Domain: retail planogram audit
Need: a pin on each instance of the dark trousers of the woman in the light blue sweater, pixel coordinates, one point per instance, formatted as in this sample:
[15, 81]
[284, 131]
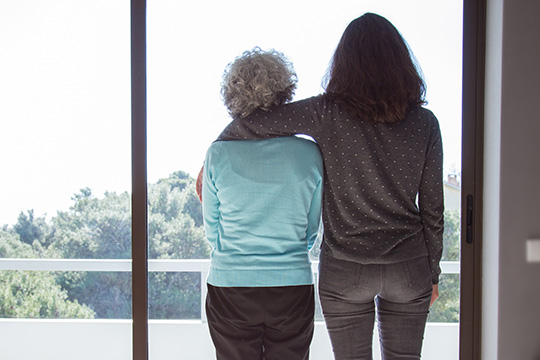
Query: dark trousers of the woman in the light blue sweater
[251, 323]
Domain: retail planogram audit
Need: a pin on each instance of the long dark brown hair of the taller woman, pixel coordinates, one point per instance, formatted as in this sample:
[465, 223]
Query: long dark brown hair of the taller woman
[373, 72]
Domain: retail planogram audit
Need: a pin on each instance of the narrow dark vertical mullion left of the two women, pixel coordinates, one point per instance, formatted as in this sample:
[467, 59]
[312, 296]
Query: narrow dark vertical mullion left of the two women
[139, 225]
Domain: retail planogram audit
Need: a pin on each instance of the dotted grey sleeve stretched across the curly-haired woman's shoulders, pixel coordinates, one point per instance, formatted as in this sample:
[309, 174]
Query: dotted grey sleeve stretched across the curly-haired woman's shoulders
[300, 117]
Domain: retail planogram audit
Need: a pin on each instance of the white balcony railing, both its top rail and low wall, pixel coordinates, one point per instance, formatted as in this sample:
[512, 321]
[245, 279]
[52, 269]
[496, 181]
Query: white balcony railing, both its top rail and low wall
[66, 339]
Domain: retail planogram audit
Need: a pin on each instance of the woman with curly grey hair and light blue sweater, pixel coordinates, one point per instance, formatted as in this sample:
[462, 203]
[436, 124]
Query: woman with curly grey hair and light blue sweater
[262, 209]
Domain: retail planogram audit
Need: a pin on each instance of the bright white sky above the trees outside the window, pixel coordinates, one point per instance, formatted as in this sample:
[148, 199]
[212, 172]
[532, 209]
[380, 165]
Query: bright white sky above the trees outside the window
[65, 82]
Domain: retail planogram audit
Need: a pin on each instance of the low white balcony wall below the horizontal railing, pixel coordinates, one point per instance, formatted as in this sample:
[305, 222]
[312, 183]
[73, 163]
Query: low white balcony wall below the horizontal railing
[27, 339]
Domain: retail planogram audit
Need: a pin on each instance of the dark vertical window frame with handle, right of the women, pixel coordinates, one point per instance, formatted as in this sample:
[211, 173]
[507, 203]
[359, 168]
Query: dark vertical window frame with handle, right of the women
[474, 32]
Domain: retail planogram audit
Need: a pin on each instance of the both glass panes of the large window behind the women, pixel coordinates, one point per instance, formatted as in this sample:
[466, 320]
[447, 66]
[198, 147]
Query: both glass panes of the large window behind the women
[65, 241]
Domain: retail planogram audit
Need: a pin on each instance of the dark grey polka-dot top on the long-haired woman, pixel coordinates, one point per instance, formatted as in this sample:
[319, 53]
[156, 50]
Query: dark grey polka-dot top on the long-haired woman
[383, 189]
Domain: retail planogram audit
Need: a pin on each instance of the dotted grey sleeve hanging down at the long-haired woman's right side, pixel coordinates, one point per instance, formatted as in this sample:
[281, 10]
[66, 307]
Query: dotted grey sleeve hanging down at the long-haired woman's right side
[431, 201]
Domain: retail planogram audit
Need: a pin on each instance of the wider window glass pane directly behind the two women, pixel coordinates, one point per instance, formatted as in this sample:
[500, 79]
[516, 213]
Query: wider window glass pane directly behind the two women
[189, 46]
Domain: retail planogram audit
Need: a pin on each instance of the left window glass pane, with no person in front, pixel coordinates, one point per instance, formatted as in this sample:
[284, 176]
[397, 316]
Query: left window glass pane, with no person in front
[65, 235]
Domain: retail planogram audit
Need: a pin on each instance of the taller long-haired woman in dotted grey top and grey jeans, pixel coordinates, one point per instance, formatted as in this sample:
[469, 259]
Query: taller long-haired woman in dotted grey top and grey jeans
[383, 194]
